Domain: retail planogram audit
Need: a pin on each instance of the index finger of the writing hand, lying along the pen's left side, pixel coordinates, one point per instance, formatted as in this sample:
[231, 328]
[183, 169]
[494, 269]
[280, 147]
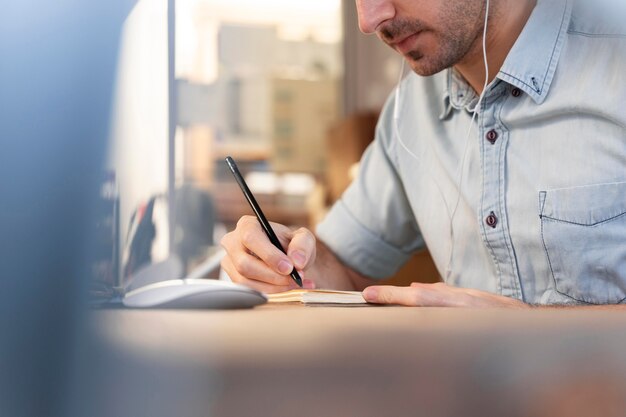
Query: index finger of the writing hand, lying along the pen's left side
[254, 239]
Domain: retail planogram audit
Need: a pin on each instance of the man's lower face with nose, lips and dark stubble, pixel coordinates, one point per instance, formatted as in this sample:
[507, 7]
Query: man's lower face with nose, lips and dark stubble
[432, 35]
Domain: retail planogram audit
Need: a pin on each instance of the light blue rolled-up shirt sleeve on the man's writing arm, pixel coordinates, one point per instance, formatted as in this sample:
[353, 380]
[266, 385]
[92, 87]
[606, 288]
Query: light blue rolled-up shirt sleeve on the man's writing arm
[372, 228]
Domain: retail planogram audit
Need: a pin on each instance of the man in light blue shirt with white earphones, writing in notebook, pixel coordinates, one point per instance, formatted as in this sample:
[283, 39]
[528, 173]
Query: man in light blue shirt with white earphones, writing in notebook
[520, 204]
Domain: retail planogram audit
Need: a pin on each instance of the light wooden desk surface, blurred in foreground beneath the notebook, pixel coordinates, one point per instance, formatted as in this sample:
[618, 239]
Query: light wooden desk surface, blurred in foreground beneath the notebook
[365, 361]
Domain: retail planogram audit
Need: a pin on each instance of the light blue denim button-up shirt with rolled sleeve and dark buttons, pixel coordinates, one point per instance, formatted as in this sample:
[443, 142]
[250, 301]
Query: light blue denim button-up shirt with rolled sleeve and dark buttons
[541, 213]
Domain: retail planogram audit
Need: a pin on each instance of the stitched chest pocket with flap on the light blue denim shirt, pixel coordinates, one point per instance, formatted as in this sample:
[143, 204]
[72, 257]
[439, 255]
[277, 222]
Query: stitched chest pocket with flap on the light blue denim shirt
[584, 236]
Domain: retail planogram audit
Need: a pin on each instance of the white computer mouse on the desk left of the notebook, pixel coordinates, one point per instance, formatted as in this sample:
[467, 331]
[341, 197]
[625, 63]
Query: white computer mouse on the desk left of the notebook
[193, 293]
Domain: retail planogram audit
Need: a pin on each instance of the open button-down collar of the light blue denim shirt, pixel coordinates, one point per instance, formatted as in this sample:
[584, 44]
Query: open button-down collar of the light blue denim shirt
[531, 63]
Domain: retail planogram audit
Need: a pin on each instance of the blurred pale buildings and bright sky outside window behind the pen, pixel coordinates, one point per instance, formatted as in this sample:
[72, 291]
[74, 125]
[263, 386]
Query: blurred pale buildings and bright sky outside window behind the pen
[259, 81]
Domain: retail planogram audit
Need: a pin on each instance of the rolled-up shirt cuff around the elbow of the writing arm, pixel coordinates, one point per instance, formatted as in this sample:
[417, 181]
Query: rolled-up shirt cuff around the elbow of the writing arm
[358, 247]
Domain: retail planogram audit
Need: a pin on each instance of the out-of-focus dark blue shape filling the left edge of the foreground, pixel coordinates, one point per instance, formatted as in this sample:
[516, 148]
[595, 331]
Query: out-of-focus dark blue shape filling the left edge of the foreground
[57, 61]
